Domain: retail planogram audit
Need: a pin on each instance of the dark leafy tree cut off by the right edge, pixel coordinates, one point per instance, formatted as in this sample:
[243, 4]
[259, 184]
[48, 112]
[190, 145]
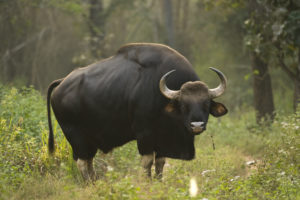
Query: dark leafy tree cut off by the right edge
[285, 26]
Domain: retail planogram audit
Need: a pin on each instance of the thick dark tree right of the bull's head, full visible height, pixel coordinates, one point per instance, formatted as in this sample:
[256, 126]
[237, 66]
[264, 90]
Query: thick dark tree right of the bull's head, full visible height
[258, 45]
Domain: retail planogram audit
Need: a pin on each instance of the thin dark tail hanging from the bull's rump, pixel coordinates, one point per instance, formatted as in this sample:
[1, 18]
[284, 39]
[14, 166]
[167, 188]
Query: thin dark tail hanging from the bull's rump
[51, 137]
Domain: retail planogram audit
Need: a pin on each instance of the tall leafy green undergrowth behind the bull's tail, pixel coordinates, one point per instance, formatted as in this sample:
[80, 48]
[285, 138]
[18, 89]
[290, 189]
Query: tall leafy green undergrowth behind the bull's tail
[23, 138]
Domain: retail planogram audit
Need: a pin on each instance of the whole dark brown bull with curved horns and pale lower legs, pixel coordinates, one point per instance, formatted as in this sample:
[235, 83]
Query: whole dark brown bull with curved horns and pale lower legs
[133, 96]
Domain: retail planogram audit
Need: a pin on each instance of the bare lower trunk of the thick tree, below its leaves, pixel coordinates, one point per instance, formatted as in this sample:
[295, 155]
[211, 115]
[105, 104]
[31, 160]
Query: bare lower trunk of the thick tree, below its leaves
[262, 89]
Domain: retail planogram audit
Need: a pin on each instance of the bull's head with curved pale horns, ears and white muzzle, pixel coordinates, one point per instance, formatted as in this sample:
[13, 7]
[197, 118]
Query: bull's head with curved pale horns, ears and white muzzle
[194, 102]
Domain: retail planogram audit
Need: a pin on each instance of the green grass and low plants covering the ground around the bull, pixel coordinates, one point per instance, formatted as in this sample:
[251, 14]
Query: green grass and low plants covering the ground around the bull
[28, 172]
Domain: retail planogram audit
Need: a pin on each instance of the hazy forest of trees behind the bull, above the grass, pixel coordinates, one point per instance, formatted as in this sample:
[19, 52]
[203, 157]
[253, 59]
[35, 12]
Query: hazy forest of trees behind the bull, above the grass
[45, 40]
